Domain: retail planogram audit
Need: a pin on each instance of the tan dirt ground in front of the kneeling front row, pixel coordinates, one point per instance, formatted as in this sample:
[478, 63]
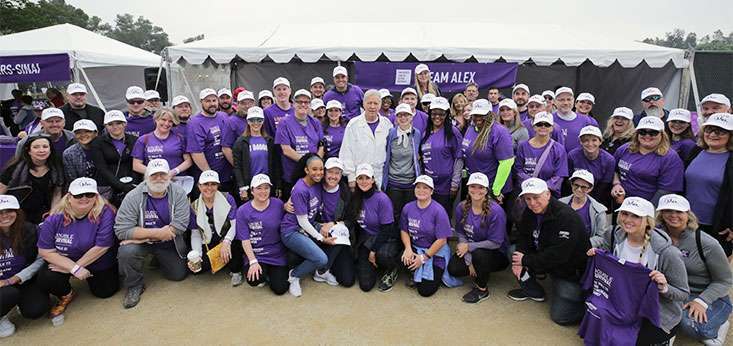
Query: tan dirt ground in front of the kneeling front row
[206, 310]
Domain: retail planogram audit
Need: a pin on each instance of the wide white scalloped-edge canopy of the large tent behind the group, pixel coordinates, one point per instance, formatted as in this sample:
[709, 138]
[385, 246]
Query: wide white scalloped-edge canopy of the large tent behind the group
[486, 42]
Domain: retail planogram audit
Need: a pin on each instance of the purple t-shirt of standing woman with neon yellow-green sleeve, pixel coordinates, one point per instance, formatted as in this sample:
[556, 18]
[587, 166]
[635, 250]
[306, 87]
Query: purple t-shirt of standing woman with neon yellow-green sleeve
[486, 160]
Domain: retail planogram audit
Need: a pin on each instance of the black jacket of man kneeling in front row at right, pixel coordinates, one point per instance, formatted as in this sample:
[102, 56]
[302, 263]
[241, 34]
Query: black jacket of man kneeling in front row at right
[563, 242]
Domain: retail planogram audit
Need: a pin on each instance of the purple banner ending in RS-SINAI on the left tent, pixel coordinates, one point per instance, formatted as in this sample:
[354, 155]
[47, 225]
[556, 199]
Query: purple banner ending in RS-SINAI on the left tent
[34, 68]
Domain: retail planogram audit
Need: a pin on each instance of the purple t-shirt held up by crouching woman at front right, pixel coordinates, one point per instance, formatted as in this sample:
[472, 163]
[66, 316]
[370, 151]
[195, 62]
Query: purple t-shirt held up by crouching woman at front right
[621, 296]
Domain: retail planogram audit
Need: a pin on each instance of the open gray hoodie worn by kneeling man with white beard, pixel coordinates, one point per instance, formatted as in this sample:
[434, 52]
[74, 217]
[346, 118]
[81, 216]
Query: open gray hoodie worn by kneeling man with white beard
[132, 214]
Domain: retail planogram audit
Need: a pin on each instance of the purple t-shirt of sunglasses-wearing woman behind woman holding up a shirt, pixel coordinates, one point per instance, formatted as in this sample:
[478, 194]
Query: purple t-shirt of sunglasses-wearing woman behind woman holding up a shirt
[642, 175]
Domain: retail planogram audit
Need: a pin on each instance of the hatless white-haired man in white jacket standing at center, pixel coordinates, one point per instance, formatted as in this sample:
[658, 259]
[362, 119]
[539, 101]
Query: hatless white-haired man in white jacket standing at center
[365, 139]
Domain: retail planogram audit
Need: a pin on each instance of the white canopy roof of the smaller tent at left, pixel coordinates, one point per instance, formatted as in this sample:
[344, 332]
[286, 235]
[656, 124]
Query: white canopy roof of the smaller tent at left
[87, 48]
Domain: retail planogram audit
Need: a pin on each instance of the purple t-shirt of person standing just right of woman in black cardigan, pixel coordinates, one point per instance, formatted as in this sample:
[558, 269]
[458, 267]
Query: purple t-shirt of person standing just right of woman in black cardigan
[303, 139]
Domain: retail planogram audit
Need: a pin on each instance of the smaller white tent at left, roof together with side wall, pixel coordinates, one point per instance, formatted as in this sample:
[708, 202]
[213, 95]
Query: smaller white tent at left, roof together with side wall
[105, 65]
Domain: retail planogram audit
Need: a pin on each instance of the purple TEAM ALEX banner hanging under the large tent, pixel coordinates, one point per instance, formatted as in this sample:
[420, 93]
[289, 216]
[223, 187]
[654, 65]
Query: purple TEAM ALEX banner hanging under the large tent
[450, 77]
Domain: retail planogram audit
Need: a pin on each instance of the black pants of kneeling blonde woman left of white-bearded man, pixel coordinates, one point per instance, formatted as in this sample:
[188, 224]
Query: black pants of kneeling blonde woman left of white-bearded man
[103, 283]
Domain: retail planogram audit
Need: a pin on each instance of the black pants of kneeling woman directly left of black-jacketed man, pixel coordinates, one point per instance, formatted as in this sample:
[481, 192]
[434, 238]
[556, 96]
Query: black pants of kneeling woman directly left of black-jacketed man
[484, 261]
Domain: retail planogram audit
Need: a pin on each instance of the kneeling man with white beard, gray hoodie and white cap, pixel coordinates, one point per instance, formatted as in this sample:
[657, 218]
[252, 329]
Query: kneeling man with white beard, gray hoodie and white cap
[152, 220]
